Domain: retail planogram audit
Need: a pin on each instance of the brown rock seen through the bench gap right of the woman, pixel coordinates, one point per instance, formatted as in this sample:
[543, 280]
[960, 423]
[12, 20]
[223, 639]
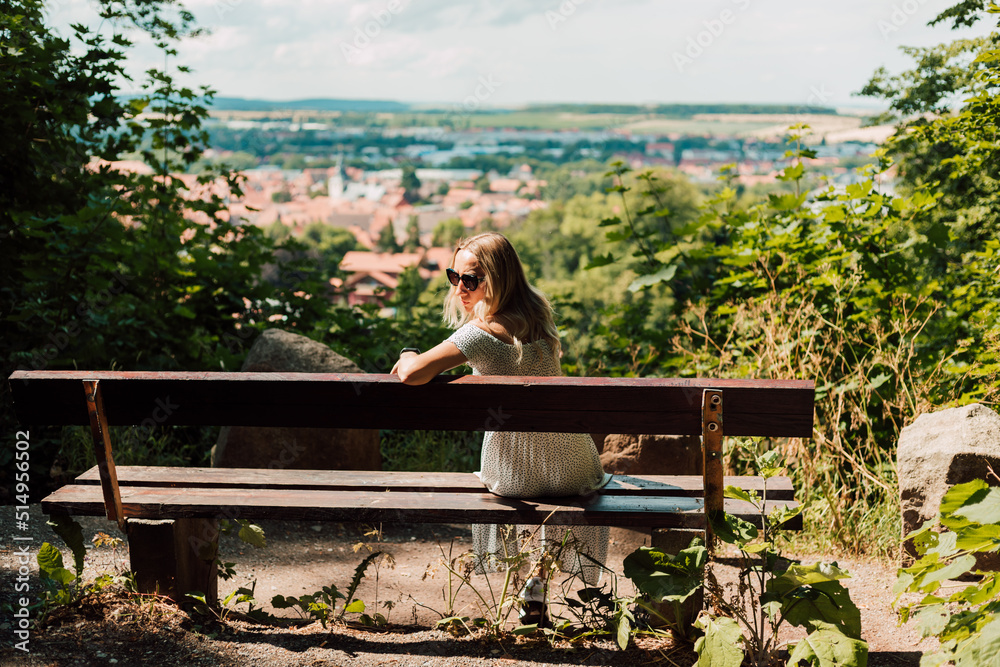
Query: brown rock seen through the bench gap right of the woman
[652, 455]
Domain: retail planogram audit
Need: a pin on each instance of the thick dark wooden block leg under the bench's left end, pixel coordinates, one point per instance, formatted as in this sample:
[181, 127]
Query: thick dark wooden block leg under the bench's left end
[175, 556]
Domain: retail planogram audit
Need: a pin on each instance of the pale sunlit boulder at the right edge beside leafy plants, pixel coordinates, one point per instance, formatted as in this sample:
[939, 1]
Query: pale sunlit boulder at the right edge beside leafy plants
[937, 451]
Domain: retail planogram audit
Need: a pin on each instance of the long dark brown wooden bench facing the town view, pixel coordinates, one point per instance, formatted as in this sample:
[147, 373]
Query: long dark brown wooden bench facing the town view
[171, 514]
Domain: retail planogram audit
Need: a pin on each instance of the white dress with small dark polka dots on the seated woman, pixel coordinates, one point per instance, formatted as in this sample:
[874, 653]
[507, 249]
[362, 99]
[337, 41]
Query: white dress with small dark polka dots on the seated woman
[533, 465]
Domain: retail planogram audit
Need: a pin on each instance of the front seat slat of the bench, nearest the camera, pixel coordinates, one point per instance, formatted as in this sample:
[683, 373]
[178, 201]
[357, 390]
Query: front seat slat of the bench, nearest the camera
[398, 507]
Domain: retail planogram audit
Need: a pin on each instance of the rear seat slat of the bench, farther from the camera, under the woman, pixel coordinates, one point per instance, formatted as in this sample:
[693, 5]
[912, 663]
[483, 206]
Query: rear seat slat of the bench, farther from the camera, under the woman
[778, 488]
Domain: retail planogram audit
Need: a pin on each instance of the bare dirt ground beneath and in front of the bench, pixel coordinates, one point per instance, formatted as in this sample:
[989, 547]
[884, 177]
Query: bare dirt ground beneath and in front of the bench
[303, 557]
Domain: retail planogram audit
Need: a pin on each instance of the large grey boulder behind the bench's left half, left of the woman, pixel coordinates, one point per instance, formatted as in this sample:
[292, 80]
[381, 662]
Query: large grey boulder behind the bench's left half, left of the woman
[300, 448]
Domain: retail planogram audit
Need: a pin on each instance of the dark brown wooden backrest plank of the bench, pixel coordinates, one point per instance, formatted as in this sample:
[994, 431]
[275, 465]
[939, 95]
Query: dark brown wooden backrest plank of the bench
[774, 408]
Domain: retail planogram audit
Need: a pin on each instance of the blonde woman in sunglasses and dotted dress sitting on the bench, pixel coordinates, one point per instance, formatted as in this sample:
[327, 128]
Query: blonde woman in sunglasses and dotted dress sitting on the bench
[505, 327]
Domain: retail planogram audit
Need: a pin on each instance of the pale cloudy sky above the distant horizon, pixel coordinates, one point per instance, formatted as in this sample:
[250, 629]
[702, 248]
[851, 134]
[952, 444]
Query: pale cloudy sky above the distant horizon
[507, 53]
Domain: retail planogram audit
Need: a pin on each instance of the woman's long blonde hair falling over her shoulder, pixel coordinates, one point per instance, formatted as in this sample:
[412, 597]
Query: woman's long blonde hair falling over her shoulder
[526, 313]
